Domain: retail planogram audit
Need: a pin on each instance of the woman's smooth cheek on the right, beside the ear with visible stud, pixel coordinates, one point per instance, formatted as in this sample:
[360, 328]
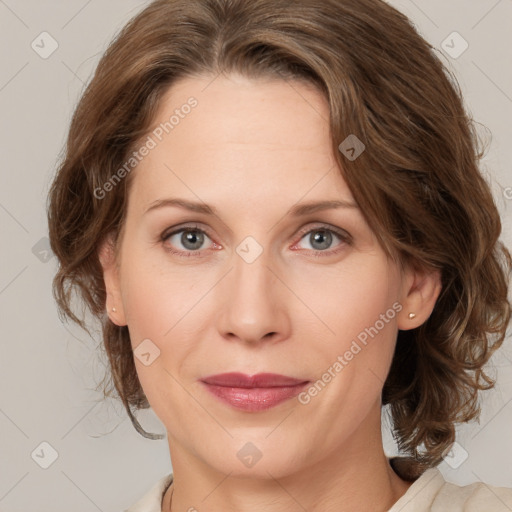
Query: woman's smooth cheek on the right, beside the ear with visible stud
[358, 303]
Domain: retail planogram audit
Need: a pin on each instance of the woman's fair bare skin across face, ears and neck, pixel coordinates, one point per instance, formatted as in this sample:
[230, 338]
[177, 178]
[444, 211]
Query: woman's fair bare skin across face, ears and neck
[253, 149]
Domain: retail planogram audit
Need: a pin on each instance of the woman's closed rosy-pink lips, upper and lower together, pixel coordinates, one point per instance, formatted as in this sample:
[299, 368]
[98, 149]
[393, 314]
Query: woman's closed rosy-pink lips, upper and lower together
[253, 393]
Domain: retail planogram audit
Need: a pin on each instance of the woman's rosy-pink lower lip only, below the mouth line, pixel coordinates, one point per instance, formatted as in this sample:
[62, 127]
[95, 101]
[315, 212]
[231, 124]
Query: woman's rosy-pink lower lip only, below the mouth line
[255, 399]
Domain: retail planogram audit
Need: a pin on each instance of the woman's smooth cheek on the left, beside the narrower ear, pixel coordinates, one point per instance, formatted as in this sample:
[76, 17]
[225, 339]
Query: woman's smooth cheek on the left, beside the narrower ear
[158, 308]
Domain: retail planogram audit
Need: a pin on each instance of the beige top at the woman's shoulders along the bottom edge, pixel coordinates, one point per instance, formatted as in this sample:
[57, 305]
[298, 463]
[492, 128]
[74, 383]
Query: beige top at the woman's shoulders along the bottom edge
[429, 493]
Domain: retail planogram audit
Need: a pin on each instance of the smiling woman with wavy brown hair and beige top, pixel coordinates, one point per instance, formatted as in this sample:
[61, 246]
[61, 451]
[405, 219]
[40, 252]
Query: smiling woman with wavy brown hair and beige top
[276, 212]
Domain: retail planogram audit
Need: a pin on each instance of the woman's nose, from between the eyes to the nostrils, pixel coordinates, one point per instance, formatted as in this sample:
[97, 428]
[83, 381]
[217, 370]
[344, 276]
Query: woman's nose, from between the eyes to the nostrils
[253, 303]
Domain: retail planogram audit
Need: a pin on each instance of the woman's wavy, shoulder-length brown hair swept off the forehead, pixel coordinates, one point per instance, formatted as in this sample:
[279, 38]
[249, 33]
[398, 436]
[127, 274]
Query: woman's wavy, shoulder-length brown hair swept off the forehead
[418, 181]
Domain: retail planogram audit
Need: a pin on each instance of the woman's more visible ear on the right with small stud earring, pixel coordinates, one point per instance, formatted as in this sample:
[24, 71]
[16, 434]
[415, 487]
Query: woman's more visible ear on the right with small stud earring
[420, 291]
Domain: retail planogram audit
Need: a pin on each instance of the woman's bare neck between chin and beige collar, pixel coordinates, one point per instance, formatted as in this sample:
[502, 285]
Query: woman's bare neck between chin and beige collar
[355, 477]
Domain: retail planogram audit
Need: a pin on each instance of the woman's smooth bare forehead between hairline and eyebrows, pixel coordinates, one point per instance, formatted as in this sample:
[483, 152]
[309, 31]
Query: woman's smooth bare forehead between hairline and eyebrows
[239, 135]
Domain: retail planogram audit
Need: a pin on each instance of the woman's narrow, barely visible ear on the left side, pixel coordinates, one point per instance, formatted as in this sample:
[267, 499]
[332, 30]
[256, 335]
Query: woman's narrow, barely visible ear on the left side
[106, 255]
